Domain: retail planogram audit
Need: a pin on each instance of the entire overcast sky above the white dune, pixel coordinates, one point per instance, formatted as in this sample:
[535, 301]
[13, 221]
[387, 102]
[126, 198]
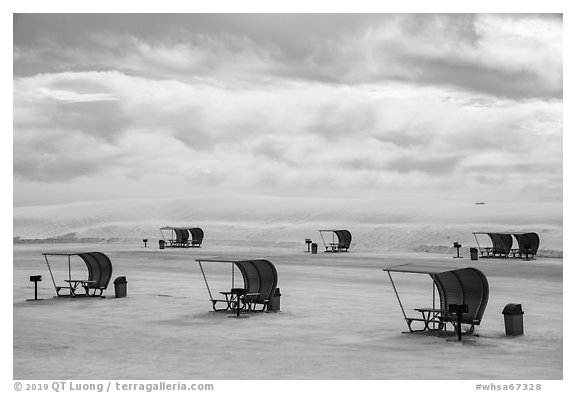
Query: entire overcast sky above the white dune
[465, 107]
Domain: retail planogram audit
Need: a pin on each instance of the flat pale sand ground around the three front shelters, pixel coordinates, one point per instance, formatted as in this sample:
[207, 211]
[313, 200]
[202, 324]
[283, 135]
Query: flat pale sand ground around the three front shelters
[339, 319]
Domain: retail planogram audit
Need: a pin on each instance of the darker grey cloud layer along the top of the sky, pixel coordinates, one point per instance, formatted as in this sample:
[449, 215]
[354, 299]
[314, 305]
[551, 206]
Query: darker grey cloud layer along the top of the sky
[503, 55]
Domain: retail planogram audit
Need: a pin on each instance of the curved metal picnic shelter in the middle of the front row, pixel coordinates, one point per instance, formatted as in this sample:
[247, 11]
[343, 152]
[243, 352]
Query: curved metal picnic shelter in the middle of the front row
[259, 282]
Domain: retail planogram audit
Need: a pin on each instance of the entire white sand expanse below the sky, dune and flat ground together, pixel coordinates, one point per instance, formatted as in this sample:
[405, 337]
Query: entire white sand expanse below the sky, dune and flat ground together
[339, 319]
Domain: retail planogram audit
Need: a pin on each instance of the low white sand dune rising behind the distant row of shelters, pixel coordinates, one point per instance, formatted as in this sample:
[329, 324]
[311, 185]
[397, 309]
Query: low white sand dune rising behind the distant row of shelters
[385, 224]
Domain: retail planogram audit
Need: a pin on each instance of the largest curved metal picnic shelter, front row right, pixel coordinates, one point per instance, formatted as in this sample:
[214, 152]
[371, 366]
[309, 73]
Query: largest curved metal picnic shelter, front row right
[454, 285]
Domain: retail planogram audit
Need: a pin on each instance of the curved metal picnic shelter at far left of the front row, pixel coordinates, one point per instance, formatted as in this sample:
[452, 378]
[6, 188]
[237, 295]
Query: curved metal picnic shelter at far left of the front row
[99, 269]
